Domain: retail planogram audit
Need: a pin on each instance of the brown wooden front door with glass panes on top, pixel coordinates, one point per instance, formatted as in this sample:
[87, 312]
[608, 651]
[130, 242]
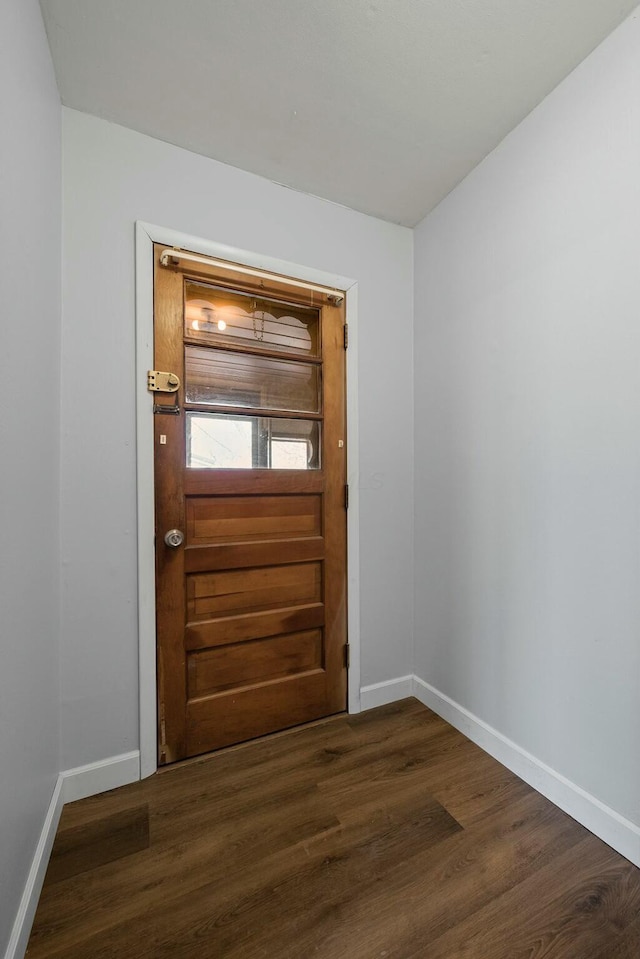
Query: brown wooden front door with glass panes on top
[250, 470]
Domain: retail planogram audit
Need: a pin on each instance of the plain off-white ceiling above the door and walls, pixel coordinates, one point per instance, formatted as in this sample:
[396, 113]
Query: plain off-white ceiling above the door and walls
[382, 105]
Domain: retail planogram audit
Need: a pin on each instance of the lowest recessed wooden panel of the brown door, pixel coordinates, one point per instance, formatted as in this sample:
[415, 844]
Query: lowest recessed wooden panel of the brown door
[254, 660]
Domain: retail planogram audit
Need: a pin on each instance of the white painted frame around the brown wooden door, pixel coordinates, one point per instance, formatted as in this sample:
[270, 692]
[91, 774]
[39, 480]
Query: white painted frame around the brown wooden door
[146, 234]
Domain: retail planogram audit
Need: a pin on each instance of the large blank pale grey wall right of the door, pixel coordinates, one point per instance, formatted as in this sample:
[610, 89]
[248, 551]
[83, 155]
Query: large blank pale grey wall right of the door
[527, 371]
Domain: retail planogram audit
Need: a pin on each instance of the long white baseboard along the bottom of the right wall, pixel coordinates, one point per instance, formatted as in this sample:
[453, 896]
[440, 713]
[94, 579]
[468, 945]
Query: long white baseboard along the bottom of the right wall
[619, 833]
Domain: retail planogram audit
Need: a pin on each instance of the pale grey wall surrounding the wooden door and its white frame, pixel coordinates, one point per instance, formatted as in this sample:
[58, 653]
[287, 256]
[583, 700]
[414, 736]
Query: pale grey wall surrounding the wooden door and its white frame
[113, 177]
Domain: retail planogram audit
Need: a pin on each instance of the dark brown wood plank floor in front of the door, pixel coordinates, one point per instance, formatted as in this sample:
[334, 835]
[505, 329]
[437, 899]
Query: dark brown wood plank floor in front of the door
[386, 835]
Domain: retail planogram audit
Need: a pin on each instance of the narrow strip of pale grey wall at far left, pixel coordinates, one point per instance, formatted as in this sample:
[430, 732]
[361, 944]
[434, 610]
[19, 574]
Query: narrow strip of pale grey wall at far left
[29, 439]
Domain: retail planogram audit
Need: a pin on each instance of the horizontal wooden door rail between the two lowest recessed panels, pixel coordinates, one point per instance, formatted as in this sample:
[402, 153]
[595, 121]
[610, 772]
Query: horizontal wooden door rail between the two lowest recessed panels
[233, 629]
